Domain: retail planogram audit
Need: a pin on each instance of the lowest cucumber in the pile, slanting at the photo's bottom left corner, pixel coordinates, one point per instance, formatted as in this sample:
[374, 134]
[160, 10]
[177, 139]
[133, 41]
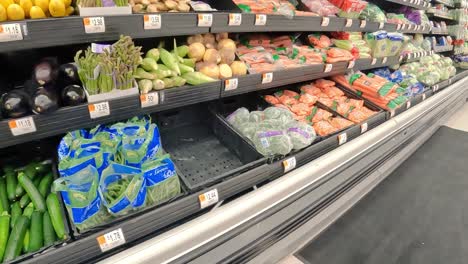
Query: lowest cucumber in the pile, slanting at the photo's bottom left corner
[15, 241]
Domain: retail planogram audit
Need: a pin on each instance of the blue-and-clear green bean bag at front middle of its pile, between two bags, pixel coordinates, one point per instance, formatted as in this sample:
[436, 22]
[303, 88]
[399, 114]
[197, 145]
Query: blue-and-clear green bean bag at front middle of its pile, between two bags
[122, 189]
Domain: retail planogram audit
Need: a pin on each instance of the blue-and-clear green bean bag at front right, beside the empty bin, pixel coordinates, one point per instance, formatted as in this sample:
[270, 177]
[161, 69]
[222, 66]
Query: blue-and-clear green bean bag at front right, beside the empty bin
[162, 181]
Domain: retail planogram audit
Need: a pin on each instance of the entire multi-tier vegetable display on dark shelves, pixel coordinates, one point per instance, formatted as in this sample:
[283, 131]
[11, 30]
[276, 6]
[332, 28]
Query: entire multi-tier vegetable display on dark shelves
[144, 121]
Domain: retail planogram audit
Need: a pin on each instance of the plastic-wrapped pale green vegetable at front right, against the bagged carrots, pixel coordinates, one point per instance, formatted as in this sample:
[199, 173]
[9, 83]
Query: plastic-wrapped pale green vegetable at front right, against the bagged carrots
[301, 134]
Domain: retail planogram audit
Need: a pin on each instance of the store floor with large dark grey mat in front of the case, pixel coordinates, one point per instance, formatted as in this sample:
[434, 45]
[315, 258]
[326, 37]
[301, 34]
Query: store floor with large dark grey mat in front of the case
[418, 215]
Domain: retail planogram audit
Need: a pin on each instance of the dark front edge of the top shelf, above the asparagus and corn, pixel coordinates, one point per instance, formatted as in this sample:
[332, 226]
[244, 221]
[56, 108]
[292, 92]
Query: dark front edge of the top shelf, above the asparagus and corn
[71, 30]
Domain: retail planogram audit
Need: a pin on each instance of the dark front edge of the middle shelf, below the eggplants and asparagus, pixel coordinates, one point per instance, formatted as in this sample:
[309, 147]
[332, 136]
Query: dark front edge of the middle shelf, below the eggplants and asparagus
[71, 118]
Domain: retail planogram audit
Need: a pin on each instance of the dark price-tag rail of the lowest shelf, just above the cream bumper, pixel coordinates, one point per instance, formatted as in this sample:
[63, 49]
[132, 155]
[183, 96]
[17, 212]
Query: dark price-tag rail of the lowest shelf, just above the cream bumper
[156, 219]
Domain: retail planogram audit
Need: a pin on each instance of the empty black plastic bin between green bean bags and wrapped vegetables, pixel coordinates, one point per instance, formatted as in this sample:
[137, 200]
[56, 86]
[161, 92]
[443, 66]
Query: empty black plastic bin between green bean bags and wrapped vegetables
[204, 149]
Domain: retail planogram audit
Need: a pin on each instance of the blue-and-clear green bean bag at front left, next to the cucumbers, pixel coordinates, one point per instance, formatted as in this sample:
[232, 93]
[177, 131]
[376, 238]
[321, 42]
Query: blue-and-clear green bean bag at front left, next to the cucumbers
[80, 195]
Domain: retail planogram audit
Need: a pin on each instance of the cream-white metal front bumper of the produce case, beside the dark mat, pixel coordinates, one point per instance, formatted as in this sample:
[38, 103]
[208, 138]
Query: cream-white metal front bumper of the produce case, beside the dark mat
[299, 200]
